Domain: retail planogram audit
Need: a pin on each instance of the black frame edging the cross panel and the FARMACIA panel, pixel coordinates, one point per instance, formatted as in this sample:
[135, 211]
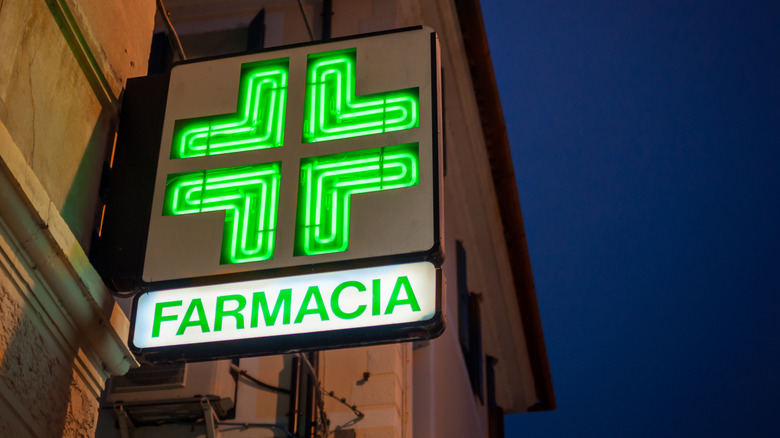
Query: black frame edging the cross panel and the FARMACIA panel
[351, 337]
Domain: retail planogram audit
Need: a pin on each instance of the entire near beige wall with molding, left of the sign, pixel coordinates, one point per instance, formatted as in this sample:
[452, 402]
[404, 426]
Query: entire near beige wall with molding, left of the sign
[61, 334]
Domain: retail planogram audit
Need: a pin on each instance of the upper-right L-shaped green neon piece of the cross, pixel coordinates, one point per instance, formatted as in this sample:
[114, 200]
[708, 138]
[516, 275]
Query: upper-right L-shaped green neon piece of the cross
[332, 111]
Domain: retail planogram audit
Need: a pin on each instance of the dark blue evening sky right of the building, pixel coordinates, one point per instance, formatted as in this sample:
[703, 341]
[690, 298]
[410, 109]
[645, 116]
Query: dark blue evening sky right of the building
[646, 143]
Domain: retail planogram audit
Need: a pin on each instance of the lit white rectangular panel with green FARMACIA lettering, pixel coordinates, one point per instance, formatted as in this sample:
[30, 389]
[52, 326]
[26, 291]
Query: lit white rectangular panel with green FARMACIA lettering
[259, 309]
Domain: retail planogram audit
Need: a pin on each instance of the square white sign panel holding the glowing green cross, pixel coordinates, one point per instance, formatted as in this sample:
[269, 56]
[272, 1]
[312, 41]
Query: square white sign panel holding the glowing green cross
[303, 156]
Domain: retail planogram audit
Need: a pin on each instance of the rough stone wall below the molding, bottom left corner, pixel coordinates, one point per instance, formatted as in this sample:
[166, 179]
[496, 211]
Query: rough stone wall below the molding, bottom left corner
[47, 388]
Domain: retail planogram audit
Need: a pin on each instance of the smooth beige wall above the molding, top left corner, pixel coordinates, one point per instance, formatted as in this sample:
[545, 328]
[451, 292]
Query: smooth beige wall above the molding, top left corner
[59, 90]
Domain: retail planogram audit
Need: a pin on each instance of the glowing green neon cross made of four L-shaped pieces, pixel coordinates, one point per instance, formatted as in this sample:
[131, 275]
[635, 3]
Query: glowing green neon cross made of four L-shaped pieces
[249, 194]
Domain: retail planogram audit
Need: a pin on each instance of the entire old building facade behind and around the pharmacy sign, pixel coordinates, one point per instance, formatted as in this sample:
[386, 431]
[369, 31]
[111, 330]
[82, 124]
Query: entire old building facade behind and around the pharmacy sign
[63, 333]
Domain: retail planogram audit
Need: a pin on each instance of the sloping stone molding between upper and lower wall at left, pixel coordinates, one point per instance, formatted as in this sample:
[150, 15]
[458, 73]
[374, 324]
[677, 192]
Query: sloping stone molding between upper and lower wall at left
[46, 266]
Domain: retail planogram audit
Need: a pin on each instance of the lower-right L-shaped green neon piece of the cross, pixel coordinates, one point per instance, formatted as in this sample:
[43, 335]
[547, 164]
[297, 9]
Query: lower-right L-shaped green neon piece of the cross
[327, 183]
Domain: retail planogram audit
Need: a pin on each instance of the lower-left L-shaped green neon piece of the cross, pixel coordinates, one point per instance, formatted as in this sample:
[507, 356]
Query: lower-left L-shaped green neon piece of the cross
[249, 195]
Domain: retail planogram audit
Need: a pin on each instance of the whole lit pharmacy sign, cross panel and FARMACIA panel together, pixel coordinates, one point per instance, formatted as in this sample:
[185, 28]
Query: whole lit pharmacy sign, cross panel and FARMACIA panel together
[310, 159]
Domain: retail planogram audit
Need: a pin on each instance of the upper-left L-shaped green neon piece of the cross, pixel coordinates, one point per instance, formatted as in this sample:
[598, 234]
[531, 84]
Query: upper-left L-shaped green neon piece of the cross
[258, 122]
